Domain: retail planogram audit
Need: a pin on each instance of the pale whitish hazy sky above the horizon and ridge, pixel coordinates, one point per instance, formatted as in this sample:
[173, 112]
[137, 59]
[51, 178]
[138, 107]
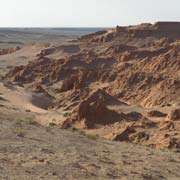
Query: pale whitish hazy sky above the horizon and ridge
[86, 13]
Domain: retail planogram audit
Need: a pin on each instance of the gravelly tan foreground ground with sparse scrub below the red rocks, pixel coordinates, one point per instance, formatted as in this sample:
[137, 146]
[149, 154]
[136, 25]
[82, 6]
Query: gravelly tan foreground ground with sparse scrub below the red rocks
[29, 151]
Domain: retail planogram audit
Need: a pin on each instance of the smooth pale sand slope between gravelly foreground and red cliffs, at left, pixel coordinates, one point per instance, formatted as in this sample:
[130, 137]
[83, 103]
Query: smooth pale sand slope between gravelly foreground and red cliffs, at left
[15, 97]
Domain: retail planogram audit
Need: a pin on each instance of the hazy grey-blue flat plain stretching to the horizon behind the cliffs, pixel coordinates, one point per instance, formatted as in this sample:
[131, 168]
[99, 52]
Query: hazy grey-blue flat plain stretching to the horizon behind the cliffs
[10, 37]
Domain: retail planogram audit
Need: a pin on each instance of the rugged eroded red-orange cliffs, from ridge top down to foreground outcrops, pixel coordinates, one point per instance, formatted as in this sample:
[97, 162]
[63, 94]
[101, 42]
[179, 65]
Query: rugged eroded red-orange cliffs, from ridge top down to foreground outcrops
[135, 64]
